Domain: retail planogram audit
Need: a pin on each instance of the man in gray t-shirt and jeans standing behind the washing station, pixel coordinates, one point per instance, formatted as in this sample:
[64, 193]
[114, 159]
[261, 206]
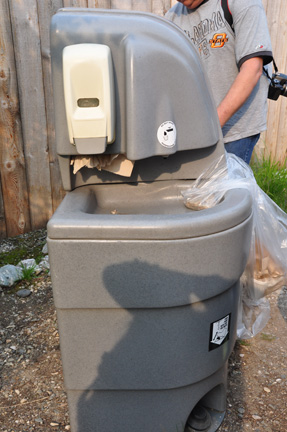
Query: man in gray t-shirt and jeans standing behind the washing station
[233, 41]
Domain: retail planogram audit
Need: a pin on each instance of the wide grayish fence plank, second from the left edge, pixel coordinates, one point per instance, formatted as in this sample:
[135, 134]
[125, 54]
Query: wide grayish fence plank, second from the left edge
[26, 39]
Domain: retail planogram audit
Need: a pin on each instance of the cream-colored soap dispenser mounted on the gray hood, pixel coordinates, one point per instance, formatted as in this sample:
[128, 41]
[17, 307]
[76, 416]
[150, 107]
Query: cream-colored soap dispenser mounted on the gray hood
[89, 96]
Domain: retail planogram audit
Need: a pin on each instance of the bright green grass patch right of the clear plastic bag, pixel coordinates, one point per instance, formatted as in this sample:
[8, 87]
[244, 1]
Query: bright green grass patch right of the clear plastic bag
[271, 177]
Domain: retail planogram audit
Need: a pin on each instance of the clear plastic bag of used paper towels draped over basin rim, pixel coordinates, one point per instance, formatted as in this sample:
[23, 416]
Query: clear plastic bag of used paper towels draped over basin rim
[266, 269]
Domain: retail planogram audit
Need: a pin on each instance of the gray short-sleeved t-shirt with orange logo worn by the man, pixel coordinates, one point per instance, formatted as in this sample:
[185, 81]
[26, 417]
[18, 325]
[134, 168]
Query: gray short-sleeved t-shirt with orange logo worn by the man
[223, 51]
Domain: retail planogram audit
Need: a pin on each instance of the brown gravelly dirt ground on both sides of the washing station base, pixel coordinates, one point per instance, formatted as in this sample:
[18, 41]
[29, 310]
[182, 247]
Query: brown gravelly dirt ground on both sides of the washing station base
[32, 396]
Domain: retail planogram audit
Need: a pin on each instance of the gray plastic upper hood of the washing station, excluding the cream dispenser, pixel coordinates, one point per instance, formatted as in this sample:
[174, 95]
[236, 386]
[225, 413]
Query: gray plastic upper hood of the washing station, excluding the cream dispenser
[158, 79]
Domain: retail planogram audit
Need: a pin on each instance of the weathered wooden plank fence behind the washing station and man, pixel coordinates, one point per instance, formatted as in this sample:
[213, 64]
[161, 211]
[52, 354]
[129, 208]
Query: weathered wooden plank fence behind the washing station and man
[30, 184]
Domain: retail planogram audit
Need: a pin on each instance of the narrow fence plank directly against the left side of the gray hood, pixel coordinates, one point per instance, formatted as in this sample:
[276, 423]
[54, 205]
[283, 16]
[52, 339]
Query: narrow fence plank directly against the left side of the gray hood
[46, 10]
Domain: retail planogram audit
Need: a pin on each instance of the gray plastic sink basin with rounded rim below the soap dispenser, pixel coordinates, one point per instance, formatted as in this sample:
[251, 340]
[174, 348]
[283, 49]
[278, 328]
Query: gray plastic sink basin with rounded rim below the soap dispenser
[143, 211]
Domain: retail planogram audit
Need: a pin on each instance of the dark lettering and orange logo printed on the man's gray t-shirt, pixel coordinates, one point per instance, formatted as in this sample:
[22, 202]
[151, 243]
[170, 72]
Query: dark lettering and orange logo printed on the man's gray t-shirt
[207, 27]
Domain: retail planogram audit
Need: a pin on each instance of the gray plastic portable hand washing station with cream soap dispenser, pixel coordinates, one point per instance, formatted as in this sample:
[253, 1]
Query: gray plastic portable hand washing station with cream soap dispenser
[146, 290]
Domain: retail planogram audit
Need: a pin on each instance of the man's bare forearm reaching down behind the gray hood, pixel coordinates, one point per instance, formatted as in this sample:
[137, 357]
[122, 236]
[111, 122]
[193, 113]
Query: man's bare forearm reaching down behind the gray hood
[249, 75]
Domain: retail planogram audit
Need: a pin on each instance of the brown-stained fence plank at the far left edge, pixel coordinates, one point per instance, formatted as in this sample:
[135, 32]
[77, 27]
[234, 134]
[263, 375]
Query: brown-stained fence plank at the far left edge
[14, 206]
